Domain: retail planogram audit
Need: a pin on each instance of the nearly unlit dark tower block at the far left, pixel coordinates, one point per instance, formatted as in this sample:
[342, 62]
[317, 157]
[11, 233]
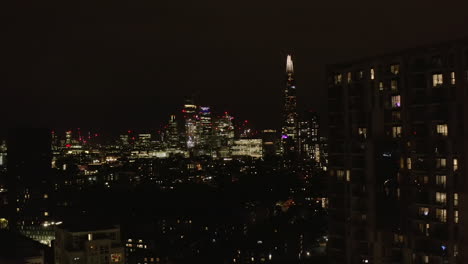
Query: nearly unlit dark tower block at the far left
[30, 183]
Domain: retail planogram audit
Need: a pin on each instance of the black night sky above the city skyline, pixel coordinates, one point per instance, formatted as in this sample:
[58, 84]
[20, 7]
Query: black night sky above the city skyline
[116, 64]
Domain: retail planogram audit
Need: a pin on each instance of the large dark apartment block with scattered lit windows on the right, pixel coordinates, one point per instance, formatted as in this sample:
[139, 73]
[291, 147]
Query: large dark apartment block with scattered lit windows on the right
[397, 155]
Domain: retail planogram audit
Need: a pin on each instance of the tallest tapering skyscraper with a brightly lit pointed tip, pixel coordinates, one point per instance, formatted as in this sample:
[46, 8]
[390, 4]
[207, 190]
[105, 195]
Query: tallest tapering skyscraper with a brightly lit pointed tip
[289, 130]
